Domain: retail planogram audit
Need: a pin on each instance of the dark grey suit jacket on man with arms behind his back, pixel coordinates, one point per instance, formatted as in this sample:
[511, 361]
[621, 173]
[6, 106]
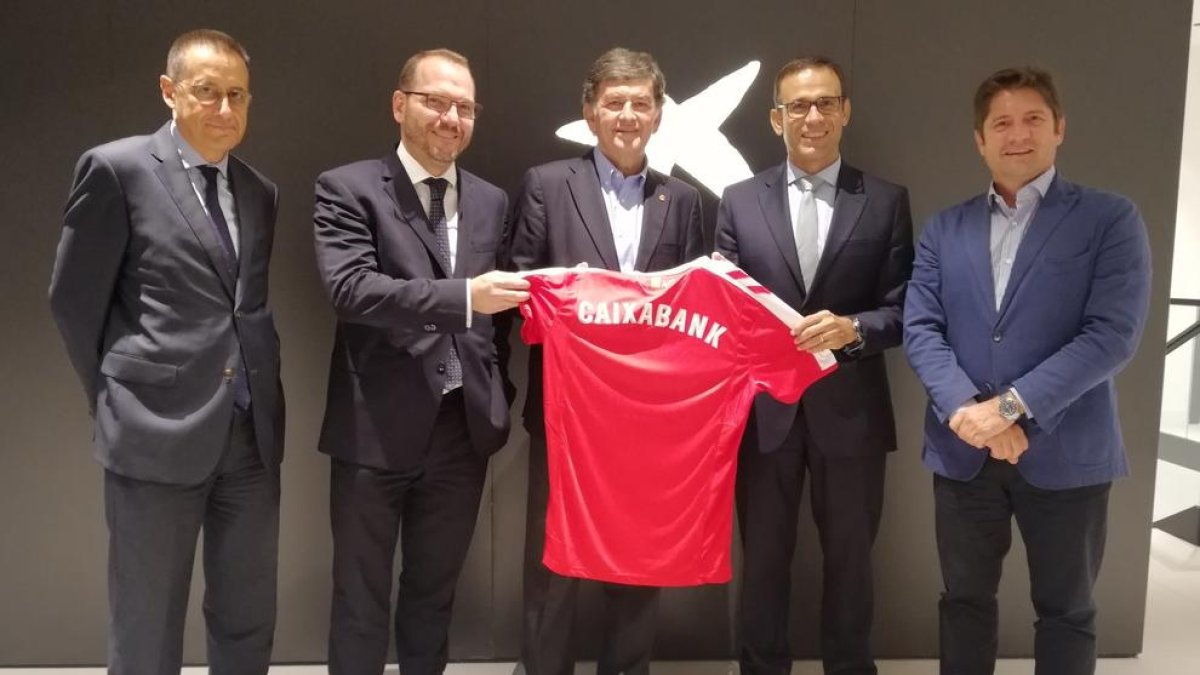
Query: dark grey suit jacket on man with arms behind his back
[153, 318]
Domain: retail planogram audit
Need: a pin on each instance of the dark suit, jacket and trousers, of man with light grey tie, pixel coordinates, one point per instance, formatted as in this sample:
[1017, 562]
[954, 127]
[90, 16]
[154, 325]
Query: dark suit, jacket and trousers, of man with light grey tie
[842, 431]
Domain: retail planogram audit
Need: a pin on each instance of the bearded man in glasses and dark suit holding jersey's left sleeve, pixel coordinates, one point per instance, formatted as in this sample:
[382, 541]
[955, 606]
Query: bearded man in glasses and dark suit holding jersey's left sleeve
[407, 248]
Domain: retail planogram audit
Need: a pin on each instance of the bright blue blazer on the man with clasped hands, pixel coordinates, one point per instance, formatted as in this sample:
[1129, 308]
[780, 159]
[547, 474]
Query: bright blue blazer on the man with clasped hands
[1070, 321]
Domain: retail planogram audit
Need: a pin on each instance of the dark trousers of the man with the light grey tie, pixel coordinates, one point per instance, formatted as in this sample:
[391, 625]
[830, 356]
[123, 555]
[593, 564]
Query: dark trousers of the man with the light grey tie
[848, 503]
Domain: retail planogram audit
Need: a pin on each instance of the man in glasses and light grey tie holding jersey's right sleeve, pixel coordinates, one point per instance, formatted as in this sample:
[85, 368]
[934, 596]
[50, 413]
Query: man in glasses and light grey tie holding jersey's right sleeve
[837, 246]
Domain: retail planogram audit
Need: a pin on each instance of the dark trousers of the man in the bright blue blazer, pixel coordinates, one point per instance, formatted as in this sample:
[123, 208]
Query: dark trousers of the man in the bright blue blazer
[1064, 534]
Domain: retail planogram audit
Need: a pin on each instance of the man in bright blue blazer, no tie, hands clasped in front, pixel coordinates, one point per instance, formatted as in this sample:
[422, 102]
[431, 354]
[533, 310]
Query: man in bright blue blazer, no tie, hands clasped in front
[1024, 306]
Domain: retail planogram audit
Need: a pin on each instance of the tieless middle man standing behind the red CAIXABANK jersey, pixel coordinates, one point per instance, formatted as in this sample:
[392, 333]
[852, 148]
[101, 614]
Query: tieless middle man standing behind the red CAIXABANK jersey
[608, 210]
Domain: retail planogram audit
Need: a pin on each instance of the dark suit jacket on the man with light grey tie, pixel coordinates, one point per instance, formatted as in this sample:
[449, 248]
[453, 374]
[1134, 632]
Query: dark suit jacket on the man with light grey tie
[863, 272]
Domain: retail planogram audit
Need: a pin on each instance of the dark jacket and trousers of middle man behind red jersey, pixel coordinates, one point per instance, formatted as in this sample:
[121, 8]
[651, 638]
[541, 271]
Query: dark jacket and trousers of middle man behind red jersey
[561, 220]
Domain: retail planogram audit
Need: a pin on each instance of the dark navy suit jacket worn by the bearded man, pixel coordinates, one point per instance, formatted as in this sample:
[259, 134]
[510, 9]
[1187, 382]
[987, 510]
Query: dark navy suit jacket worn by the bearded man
[399, 310]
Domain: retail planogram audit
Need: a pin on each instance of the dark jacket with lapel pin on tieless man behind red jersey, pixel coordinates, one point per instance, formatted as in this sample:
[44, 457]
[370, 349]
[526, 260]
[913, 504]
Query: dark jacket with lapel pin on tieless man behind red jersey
[561, 220]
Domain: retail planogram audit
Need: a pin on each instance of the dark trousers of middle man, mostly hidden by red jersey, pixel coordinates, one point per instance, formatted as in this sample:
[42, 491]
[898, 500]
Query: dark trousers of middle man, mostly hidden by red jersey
[550, 599]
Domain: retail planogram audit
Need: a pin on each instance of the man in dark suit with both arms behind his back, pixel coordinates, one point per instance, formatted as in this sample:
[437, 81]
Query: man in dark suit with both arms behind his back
[160, 292]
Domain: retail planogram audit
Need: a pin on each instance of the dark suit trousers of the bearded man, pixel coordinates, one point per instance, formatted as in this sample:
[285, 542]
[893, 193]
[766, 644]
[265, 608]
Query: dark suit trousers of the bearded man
[431, 510]
